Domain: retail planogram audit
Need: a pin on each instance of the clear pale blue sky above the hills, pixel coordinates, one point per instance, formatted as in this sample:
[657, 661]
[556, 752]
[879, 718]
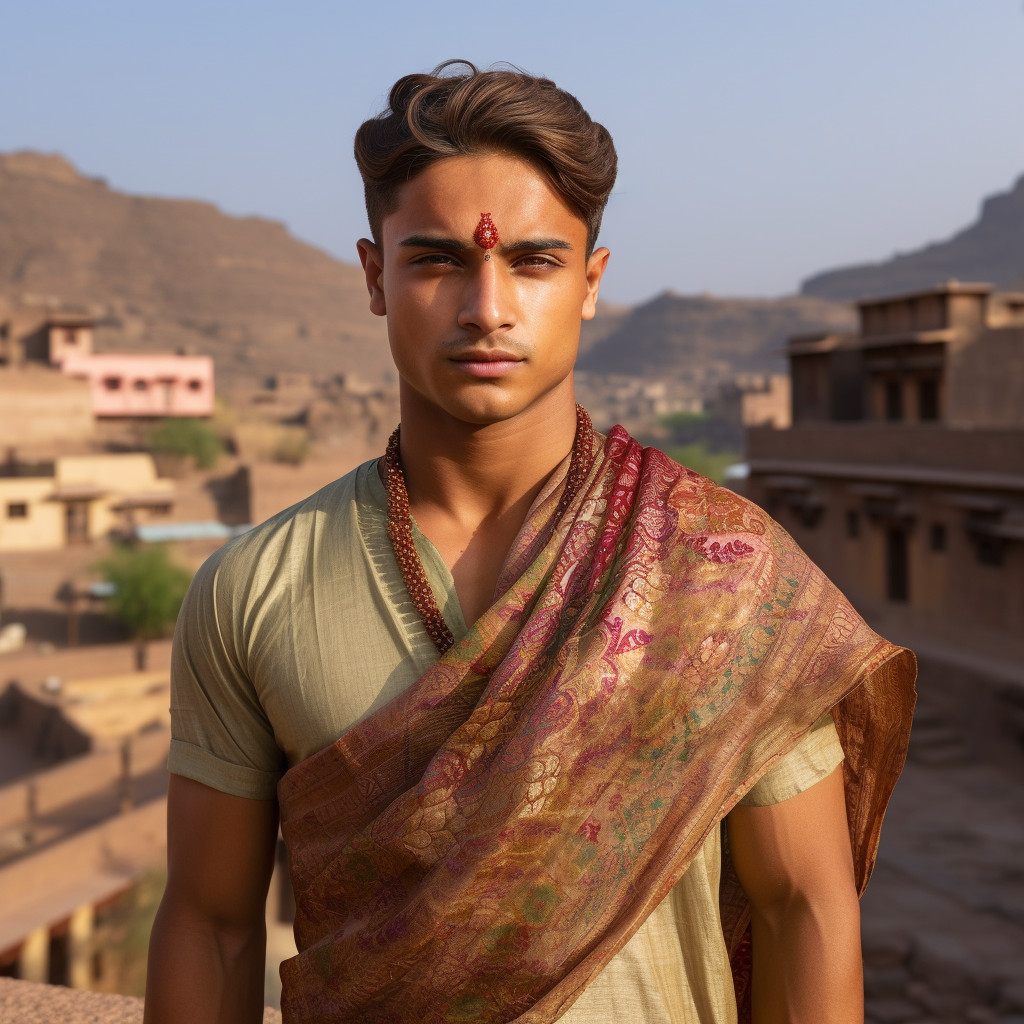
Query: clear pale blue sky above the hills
[759, 142]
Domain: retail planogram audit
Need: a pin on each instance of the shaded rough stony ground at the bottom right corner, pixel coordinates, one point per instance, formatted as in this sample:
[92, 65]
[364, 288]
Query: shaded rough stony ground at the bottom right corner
[944, 916]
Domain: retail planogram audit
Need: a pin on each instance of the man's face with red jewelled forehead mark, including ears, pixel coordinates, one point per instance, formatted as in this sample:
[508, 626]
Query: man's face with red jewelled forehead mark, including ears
[483, 334]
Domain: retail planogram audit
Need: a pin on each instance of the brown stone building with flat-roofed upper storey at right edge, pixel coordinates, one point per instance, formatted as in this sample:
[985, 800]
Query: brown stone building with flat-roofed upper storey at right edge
[903, 475]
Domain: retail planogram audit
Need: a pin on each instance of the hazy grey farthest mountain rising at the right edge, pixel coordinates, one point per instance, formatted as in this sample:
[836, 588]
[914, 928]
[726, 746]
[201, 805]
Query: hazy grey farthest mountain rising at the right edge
[991, 250]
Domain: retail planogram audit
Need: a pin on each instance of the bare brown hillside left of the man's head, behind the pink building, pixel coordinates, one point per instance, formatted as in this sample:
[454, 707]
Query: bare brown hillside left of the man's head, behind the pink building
[167, 274]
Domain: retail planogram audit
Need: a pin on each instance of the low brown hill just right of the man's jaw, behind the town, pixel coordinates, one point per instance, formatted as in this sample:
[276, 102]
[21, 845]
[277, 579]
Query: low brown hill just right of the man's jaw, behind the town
[707, 338]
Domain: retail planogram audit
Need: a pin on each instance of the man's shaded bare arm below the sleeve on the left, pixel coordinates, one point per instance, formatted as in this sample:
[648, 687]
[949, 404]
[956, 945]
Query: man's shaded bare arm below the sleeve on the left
[208, 948]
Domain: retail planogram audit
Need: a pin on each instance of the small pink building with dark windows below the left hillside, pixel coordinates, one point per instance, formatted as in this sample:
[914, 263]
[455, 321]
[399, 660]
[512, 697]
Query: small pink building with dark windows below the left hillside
[145, 386]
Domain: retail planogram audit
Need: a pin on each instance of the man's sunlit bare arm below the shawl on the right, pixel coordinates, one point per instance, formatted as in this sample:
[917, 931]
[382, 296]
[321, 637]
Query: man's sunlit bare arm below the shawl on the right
[794, 861]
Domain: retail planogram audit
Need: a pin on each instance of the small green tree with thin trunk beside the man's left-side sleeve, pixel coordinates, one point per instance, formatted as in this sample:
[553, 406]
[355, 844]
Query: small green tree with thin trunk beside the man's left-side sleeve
[149, 589]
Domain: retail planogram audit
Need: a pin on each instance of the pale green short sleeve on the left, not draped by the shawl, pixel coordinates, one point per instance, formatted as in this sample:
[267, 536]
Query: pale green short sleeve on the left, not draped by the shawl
[221, 736]
